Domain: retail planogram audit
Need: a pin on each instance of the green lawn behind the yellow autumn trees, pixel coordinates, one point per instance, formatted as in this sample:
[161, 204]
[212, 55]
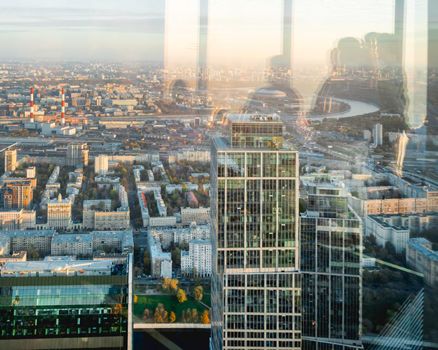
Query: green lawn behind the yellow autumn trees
[170, 303]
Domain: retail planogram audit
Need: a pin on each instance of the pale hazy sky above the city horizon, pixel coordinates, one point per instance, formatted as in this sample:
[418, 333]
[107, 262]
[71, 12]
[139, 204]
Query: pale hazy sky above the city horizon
[244, 32]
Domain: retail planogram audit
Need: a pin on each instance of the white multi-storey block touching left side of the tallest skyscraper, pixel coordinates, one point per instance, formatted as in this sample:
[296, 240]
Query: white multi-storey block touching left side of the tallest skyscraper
[196, 261]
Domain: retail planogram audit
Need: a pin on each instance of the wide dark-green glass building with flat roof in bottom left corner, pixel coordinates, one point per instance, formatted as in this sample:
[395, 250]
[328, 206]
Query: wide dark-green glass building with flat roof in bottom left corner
[66, 304]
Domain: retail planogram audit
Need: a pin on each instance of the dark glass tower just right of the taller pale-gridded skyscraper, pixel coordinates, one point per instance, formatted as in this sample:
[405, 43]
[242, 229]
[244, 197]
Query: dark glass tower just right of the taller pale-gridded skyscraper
[331, 248]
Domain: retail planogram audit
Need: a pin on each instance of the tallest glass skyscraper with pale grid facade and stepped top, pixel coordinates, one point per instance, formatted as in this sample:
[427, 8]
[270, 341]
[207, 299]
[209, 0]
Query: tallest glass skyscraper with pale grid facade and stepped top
[256, 285]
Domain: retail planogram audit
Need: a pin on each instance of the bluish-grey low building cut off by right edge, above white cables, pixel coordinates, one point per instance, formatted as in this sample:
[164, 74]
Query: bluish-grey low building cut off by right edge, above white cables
[421, 257]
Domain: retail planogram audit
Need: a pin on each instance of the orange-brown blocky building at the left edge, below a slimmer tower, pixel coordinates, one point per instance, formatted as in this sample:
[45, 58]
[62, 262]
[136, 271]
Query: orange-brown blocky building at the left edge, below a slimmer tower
[17, 195]
